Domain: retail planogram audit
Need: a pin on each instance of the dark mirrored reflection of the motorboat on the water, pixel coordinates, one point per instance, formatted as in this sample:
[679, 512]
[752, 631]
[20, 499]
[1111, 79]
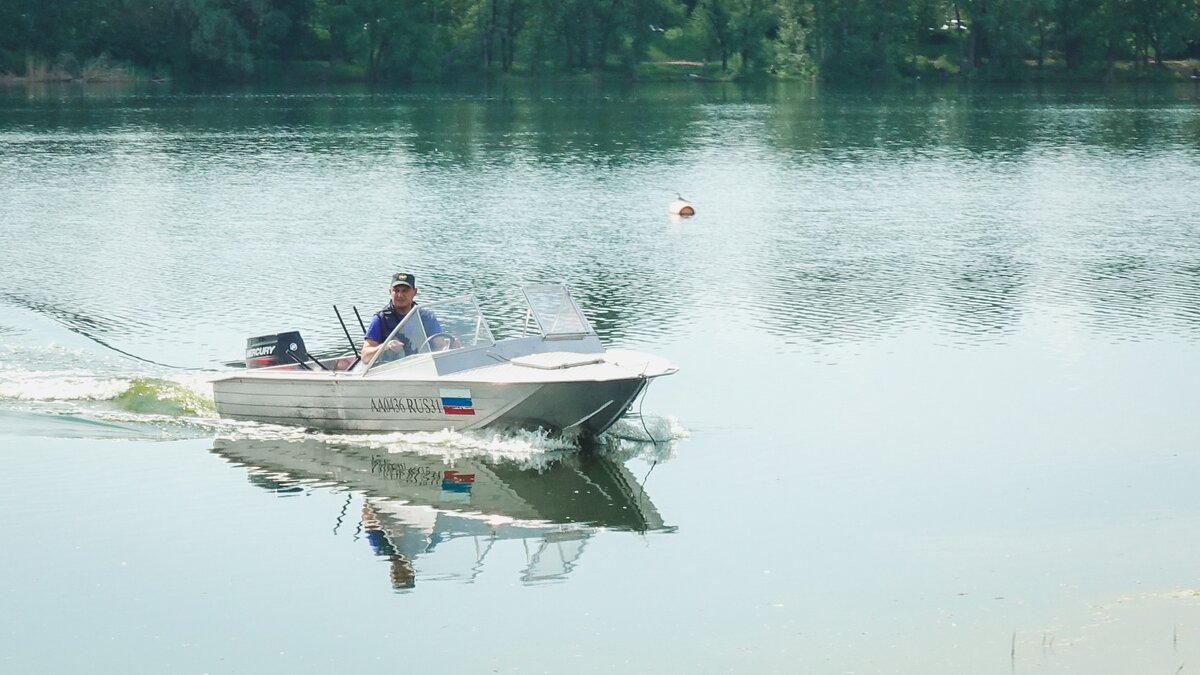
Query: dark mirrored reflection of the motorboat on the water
[436, 518]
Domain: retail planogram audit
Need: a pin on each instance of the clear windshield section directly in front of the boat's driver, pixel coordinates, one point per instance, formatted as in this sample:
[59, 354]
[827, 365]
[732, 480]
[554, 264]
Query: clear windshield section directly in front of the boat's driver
[437, 327]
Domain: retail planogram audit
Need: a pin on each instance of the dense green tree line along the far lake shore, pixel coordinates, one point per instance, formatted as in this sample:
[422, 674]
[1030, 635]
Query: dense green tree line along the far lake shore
[447, 40]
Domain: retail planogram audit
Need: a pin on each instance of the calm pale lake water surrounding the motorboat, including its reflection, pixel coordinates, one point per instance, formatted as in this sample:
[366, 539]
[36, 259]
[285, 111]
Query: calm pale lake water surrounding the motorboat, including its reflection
[937, 409]
